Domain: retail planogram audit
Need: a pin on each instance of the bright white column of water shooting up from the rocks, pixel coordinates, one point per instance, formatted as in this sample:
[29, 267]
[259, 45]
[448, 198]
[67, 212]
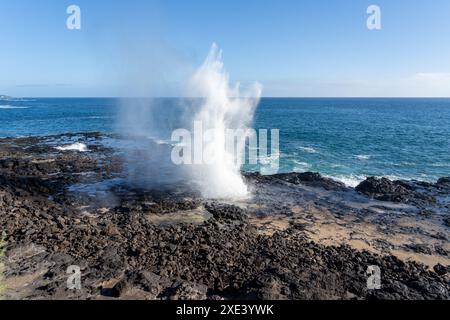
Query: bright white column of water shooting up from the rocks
[222, 107]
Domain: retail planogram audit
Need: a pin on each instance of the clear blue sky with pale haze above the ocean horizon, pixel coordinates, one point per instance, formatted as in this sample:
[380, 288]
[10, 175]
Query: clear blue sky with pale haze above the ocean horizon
[292, 47]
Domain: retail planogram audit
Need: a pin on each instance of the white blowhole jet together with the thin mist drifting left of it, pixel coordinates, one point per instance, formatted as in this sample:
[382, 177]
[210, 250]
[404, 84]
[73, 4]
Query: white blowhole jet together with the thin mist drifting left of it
[211, 108]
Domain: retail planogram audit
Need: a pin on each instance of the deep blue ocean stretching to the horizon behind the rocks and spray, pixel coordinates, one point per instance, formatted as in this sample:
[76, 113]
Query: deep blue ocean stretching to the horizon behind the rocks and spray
[344, 138]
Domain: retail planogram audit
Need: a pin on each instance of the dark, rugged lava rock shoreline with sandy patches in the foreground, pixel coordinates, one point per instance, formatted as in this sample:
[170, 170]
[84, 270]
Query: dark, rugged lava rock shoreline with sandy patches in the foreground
[301, 236]
